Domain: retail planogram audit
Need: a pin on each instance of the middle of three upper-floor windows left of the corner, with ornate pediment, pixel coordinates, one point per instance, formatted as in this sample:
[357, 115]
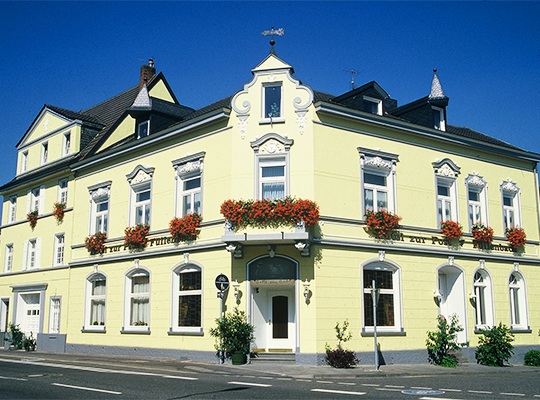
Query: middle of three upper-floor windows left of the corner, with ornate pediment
[140, 180]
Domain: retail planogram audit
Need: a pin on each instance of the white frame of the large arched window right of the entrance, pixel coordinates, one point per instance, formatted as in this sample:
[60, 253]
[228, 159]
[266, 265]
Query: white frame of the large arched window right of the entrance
[393, 268]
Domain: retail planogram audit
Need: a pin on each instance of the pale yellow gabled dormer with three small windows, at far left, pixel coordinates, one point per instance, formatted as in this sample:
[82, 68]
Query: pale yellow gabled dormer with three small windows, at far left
[55, 134]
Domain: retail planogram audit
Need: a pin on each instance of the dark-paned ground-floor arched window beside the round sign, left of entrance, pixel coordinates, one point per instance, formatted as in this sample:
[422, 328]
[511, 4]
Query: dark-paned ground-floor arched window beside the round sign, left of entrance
[187, 299]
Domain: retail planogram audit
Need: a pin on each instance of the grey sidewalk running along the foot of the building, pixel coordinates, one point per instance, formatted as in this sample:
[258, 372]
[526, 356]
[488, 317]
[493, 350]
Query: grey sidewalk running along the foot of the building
[270, 368]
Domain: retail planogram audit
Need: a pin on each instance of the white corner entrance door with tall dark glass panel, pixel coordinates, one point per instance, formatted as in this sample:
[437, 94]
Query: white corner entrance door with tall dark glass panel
[281, 332]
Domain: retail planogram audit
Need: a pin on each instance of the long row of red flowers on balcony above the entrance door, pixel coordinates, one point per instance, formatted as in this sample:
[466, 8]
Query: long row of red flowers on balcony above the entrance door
[270, 213]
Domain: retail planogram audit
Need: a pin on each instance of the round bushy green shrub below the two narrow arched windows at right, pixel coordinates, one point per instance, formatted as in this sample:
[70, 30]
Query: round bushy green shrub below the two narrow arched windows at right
[495, 346]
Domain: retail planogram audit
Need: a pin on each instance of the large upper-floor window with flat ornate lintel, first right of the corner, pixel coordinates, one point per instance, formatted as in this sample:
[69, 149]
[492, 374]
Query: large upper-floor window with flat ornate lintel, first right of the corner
[378, 180]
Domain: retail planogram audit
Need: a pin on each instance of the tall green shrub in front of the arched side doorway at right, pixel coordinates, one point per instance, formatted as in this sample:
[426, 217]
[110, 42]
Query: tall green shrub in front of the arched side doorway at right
[443, 341]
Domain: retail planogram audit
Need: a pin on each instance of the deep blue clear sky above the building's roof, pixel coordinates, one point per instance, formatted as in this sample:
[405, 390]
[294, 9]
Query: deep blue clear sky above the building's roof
[76, 54]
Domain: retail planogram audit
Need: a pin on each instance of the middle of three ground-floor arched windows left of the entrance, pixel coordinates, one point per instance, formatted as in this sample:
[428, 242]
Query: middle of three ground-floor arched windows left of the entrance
[137, 300]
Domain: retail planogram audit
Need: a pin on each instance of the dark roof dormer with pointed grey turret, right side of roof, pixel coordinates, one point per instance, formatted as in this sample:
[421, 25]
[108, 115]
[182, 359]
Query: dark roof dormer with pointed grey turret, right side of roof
[429, 111]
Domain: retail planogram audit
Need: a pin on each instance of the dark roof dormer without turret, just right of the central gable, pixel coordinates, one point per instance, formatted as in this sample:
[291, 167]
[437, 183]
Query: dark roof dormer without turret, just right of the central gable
[371, 98]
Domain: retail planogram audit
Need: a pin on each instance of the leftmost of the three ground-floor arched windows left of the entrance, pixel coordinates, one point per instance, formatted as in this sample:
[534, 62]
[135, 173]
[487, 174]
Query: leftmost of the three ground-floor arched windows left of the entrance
[96, 299]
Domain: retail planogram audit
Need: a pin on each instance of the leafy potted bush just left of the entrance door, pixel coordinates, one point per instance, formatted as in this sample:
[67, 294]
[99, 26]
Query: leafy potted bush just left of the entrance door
[235, 335]
